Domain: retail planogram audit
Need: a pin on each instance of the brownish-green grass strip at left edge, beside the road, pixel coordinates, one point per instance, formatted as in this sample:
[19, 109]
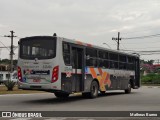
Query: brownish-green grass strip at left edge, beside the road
[3, 90]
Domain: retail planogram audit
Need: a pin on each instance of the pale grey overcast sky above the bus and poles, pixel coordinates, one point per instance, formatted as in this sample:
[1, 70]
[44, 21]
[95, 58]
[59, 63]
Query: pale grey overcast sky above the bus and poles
[91, 21]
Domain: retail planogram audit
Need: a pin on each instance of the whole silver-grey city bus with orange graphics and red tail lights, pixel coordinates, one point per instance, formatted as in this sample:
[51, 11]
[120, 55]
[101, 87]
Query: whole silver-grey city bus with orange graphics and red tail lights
[63, 66]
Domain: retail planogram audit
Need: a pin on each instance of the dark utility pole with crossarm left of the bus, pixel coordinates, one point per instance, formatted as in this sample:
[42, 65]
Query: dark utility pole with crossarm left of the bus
[11, 51]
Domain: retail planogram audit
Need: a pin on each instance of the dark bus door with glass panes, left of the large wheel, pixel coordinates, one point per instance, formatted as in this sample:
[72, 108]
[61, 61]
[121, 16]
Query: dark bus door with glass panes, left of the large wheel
[77, 62]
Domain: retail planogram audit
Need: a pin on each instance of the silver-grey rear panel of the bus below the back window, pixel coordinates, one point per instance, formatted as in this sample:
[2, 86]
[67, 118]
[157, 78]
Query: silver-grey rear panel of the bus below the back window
[37, 73]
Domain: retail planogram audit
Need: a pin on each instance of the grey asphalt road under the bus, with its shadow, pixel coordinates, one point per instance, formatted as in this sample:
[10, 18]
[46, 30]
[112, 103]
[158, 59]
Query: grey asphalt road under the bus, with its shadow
[143, 99]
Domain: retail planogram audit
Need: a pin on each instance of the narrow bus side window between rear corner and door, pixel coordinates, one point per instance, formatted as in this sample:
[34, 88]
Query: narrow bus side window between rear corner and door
[66, 53]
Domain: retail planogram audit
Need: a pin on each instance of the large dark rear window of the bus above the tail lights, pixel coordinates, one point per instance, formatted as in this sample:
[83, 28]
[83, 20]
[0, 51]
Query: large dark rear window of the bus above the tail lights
[38, 47]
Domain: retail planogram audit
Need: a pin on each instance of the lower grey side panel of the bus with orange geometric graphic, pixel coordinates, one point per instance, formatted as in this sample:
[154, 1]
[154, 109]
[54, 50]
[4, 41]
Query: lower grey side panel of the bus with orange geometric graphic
[108, 79]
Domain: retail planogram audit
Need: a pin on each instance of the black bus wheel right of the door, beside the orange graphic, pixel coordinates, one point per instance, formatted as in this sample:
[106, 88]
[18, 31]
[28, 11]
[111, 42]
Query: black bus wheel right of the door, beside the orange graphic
[93, 89]
